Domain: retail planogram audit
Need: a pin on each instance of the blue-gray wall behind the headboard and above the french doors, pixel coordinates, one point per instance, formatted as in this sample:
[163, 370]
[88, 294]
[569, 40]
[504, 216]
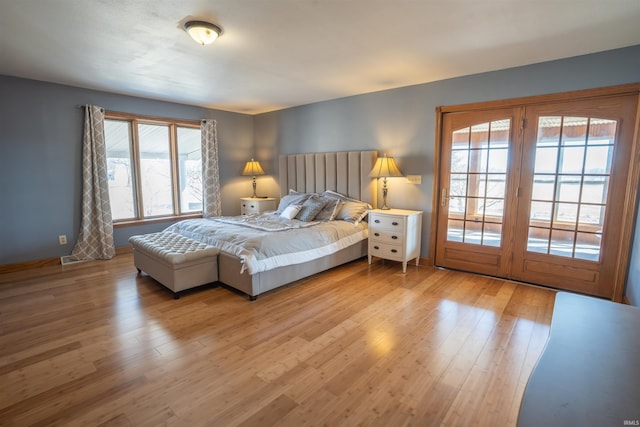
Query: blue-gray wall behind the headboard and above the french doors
[401, 122]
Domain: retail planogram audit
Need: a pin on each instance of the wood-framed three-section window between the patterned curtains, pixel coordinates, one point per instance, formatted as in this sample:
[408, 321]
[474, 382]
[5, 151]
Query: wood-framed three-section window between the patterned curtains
[154, 167]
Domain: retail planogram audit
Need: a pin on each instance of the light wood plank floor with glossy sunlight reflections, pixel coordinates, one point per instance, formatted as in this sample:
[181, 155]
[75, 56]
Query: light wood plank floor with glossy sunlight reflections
[97, 344]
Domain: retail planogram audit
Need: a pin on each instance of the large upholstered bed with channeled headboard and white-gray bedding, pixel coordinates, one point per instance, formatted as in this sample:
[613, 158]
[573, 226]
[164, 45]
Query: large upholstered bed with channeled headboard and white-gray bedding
[343, 175]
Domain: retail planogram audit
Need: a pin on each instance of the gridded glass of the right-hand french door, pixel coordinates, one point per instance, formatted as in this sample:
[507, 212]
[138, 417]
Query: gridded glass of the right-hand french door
[573, 157]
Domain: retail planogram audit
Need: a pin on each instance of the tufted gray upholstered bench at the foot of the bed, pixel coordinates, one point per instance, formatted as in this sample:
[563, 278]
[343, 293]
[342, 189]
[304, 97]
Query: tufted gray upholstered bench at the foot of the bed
[176, 261]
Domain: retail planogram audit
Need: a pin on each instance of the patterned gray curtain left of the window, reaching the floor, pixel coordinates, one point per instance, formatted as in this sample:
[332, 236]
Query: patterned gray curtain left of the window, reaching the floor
[95, 240]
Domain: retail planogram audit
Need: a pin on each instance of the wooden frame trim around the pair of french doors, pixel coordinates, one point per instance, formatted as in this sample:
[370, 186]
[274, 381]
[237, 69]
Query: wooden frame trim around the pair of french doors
[633, 180]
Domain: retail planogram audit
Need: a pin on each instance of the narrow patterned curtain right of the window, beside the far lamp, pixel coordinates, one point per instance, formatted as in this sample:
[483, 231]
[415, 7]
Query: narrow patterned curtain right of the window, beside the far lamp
[211, 201]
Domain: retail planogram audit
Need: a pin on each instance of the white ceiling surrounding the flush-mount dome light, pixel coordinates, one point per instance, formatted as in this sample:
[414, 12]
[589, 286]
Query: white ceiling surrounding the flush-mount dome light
[275, 54]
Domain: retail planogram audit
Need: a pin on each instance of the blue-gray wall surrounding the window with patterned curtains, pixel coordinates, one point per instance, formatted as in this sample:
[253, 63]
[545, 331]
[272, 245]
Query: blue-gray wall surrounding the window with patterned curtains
[40, 160]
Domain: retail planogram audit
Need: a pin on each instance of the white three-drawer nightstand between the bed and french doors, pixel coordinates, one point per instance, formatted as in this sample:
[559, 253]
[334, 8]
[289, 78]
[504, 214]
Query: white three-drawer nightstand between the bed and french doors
[395, 234]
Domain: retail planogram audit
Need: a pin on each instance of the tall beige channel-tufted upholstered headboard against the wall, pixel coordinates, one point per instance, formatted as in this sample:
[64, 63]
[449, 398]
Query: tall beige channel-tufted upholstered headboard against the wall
[346, 172]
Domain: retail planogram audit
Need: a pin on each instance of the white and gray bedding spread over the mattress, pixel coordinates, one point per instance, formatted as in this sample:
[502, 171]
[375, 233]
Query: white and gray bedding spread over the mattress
[260, 250]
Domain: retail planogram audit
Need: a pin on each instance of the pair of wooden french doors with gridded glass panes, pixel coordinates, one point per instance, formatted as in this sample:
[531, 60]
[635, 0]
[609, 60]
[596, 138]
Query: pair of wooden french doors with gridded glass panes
[538, 193]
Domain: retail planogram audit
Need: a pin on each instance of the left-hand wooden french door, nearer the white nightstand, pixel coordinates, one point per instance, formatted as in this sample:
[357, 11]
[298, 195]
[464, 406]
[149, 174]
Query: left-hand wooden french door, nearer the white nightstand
[479, 163]
